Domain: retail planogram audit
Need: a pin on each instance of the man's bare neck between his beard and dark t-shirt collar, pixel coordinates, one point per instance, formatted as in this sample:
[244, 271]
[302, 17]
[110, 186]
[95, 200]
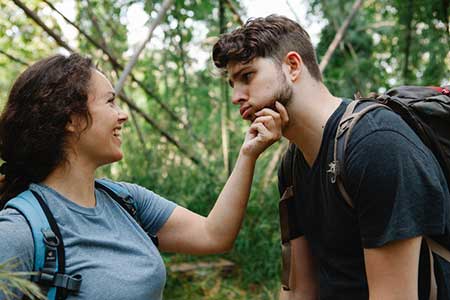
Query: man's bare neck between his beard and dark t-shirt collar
[309, 111]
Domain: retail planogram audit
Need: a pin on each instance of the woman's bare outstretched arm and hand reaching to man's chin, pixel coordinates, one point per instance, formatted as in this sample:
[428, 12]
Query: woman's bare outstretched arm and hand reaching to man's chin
[188, 232]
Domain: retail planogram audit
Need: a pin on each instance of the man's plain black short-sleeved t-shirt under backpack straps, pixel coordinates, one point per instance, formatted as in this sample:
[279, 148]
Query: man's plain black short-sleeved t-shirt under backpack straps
[398, 192]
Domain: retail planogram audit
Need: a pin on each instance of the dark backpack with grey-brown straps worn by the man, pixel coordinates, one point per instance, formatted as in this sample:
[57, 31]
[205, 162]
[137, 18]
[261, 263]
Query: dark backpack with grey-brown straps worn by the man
[426, 110]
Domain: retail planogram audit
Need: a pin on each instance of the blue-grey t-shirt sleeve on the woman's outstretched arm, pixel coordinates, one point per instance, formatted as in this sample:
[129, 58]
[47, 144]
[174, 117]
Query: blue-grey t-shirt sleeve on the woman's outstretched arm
[153, 210]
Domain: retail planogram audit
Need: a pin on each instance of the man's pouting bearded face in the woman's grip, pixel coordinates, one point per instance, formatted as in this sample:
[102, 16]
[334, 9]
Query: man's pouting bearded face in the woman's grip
[257, 85]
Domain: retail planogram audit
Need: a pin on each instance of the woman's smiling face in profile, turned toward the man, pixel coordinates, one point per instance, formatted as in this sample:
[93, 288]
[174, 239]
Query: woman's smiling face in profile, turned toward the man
[100, 143]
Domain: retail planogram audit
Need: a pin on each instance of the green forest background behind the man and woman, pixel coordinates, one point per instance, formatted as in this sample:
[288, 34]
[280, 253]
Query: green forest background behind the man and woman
[184, 134]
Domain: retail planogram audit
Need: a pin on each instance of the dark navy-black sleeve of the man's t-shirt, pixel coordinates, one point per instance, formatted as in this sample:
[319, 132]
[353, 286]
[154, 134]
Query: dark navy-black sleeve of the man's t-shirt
[397, 188]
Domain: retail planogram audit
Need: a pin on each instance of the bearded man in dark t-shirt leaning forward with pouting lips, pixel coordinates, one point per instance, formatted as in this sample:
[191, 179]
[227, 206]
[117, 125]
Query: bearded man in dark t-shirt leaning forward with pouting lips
[373, 250]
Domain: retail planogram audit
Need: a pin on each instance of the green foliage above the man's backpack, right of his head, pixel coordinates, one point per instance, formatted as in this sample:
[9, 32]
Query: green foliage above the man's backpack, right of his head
[388, 43]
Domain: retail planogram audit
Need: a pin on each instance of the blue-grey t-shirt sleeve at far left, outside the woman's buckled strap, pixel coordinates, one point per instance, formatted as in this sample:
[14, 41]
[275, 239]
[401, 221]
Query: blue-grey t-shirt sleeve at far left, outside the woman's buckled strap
[16, 241]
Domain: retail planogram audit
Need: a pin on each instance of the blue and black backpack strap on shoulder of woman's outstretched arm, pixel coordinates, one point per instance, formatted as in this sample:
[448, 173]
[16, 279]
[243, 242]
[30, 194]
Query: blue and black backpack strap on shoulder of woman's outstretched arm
[125, 200]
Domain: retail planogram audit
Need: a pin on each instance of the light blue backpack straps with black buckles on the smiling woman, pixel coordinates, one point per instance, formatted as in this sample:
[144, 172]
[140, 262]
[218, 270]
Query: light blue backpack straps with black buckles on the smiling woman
[49, 256]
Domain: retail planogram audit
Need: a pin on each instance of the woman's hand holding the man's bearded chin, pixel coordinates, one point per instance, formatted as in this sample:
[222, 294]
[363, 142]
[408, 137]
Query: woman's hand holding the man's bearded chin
[265, 130]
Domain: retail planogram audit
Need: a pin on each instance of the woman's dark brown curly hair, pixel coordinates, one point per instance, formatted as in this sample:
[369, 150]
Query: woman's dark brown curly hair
[33, 123]
